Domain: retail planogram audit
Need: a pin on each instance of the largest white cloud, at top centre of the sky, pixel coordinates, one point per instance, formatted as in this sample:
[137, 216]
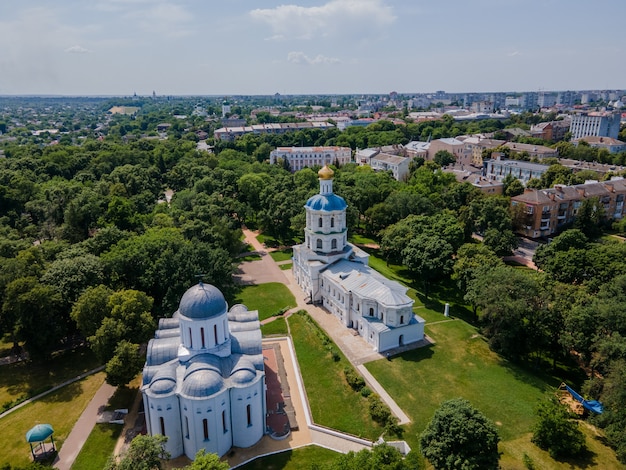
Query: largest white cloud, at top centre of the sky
[335, 18]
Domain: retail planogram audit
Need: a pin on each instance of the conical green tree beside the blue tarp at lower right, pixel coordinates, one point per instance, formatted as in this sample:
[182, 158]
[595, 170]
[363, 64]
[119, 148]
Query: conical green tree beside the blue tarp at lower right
[556, 432]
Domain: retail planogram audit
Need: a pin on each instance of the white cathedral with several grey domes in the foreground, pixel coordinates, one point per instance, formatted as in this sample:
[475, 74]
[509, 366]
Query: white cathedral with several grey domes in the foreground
[204, 378]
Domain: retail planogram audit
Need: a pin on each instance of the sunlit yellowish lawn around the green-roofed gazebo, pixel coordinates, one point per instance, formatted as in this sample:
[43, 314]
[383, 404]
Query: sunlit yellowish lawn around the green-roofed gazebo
[60, 409]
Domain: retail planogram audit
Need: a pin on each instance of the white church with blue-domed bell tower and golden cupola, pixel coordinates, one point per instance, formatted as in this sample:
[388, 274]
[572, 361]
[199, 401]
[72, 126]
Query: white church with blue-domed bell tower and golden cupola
[335, 274]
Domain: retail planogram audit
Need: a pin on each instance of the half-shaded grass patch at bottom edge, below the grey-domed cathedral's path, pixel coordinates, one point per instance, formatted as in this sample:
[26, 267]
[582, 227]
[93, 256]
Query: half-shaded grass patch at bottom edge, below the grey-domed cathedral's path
[302, 458]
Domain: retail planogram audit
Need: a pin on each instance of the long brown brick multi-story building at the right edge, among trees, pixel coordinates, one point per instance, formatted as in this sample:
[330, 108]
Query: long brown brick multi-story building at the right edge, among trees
[547, 211]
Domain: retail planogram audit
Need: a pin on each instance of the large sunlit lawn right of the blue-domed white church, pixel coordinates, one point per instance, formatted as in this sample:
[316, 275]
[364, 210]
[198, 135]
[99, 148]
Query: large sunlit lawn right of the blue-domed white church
[460, 364]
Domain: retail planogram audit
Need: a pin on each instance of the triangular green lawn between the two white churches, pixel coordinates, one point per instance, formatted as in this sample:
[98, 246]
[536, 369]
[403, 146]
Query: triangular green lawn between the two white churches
[331, 400]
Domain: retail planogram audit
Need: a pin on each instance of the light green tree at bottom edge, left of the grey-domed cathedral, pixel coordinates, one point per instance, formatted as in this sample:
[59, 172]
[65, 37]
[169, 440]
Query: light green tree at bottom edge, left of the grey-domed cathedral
[144, 453]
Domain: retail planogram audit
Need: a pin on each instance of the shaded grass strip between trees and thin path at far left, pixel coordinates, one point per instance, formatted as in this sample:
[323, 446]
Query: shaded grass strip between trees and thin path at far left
[27, 379]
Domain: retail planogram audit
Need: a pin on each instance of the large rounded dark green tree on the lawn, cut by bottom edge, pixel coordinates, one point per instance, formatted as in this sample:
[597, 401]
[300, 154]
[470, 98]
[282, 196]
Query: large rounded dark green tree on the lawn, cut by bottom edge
[460, 437]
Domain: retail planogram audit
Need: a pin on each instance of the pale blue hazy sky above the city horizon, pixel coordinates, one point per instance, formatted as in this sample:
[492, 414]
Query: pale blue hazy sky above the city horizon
[244, 47]
